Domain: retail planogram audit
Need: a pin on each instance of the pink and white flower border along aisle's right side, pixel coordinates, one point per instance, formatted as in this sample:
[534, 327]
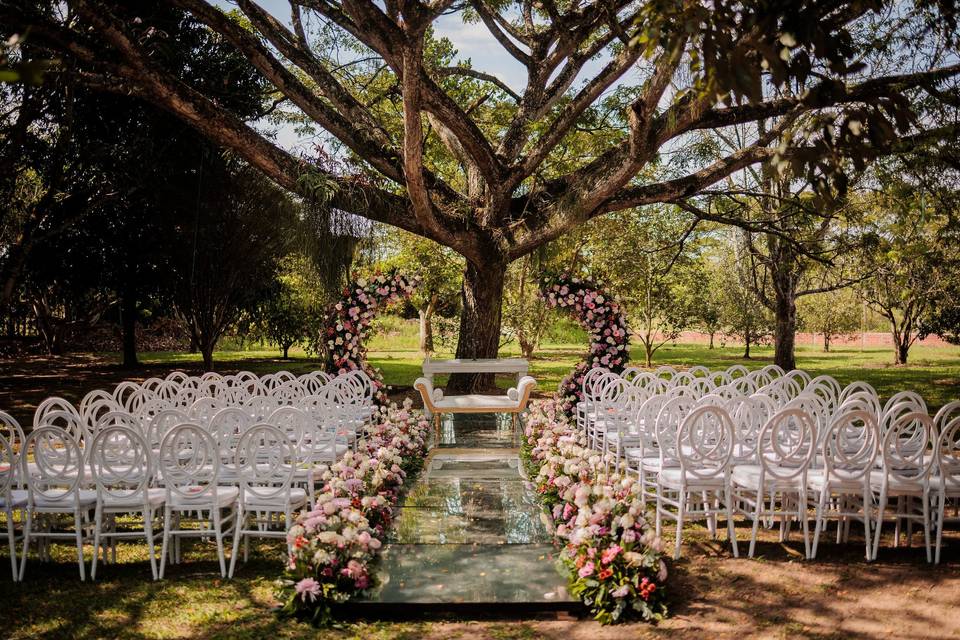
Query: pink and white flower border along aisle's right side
[614, 560]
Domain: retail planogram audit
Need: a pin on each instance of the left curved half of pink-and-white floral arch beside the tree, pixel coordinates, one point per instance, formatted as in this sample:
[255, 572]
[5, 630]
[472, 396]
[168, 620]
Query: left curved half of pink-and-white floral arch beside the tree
[348, 324]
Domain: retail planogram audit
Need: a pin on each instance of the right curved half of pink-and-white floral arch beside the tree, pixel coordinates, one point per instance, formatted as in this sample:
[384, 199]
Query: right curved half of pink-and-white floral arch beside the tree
[601, 315]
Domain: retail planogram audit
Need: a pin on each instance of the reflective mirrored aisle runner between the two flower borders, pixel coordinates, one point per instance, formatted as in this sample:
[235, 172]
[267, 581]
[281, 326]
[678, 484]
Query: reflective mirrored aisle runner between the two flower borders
[470, 530]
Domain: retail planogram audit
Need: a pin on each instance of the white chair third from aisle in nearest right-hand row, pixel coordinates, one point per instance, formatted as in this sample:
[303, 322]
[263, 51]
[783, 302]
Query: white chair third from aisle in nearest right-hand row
[842, 486]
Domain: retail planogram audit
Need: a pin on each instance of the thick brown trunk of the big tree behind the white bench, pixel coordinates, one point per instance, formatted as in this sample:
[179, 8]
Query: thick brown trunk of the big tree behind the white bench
[482, 296]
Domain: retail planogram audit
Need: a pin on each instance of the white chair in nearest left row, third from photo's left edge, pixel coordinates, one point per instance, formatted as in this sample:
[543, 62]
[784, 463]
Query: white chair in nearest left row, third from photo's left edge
[120, 460]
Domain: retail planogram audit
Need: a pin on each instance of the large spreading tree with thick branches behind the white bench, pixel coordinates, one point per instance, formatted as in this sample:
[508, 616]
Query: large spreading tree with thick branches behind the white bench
[450, 152]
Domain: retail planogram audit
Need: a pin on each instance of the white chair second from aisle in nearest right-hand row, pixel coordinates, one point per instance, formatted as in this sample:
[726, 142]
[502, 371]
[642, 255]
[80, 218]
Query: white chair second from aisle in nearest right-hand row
[786, 445]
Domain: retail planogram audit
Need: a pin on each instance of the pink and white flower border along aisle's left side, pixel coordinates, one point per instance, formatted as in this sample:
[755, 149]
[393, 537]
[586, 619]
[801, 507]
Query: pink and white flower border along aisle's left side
[335, 542]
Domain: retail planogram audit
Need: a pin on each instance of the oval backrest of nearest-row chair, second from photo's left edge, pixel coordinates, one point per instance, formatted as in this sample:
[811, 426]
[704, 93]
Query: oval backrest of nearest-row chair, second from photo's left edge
[58, 465]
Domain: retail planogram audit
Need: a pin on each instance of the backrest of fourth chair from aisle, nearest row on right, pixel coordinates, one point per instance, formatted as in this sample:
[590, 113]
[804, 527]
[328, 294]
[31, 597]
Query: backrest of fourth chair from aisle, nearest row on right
[907, 447]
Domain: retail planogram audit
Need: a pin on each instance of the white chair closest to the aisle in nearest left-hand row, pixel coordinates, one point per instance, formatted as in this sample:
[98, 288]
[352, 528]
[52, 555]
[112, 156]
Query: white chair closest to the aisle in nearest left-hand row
[266, 462]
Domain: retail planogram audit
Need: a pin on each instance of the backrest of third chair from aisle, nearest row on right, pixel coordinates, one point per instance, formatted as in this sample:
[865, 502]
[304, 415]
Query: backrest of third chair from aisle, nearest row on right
[850, 446]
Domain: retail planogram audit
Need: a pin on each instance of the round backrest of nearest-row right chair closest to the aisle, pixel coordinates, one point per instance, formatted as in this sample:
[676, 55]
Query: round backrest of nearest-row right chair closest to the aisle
[705, 443]
